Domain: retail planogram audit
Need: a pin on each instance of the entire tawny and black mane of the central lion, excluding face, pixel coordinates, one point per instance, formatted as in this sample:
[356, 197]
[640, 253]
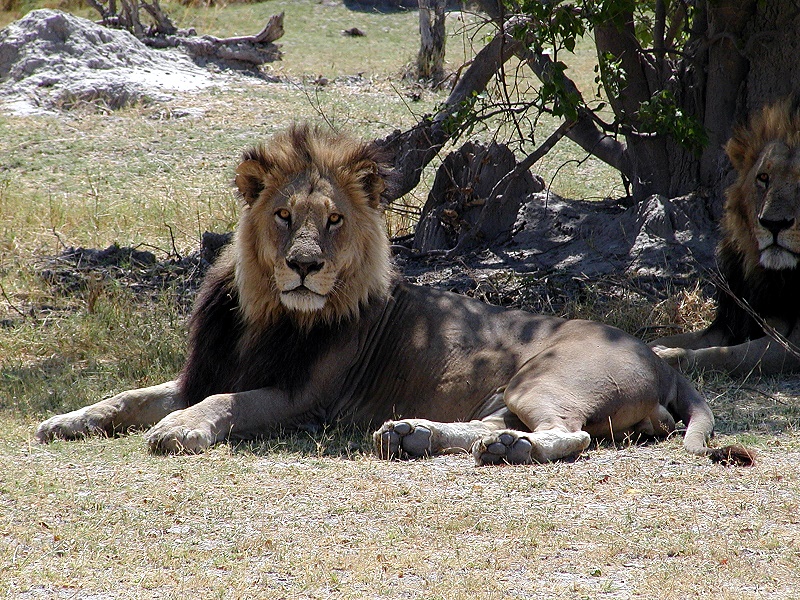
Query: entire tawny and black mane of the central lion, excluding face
[241, 336]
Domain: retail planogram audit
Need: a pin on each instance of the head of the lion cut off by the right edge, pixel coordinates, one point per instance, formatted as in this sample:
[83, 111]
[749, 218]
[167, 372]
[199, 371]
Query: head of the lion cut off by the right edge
[763, 207]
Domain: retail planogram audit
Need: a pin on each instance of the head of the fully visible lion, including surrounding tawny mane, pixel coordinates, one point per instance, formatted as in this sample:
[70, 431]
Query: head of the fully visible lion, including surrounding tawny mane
[311, 241]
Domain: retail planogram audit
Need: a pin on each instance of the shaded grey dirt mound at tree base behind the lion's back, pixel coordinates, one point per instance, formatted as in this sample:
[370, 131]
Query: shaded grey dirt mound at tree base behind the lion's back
[563, 250]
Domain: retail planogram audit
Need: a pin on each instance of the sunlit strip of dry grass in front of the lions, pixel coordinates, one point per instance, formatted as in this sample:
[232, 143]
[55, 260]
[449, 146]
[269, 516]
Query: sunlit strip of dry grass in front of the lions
[102, 519]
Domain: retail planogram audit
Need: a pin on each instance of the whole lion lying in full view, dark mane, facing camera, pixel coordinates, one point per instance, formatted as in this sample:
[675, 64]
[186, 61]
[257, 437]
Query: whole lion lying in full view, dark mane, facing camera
[303, 322]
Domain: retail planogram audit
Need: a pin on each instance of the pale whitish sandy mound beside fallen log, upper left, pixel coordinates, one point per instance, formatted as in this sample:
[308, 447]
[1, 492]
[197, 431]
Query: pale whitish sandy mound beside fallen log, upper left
[52, 60]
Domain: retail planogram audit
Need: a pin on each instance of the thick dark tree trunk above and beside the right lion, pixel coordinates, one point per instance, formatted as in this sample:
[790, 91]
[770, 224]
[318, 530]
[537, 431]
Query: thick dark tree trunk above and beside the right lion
[741, 55]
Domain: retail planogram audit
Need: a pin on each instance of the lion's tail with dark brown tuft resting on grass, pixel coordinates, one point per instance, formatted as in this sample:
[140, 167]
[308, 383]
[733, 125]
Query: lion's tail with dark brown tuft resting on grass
[693, 410]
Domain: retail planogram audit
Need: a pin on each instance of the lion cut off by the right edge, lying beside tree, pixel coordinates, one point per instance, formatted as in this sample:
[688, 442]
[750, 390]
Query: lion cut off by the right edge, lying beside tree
[759, 257]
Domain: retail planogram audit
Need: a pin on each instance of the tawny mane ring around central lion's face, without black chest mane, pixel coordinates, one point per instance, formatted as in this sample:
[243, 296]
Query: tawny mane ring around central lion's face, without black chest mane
[356, 167]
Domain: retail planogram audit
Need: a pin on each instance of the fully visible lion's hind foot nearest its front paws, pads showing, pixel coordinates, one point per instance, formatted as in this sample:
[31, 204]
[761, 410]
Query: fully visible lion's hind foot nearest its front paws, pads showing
[412, 438]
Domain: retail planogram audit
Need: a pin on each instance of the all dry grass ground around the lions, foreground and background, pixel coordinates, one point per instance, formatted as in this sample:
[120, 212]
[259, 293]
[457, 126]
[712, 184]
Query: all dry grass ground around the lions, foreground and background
[304, 516]
